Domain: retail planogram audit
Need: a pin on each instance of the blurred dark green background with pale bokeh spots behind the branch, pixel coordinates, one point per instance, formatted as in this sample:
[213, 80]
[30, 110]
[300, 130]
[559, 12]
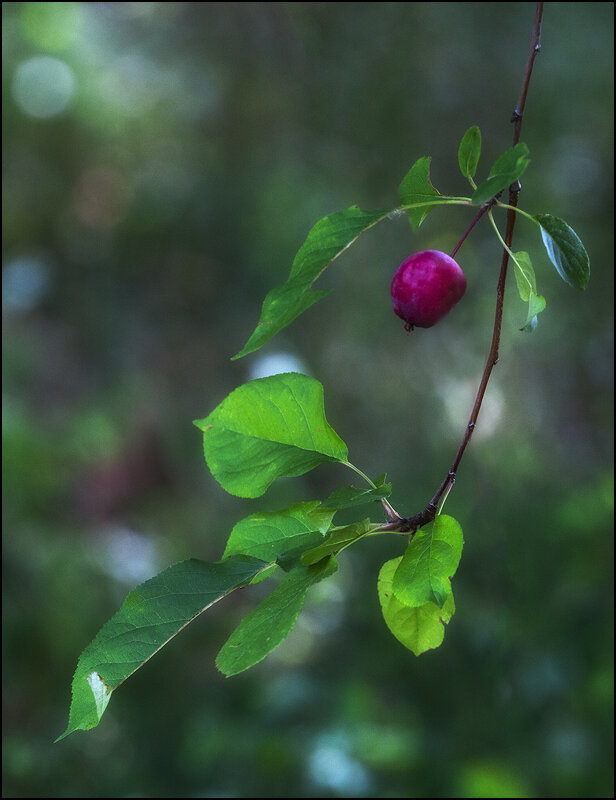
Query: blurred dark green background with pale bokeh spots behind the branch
[163, 162]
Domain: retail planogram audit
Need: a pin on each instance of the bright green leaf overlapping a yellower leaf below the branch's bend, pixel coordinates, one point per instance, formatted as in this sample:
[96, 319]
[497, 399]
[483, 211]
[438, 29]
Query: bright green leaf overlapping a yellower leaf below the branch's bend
[432, 557]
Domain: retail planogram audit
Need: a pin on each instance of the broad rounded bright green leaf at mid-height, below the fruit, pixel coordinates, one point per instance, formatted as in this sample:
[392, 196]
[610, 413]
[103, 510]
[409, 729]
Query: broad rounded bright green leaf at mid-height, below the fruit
[268, 428]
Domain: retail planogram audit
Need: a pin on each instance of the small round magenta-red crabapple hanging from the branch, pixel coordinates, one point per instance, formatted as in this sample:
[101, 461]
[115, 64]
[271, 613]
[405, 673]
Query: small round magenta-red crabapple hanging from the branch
[426, 286]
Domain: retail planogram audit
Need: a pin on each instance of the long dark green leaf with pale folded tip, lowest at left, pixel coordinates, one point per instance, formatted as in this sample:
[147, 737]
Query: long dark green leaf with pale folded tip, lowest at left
[151, 615]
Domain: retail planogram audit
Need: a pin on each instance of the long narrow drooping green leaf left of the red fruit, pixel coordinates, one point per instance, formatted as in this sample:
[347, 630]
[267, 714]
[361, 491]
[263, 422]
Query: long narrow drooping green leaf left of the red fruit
[325, 242]
